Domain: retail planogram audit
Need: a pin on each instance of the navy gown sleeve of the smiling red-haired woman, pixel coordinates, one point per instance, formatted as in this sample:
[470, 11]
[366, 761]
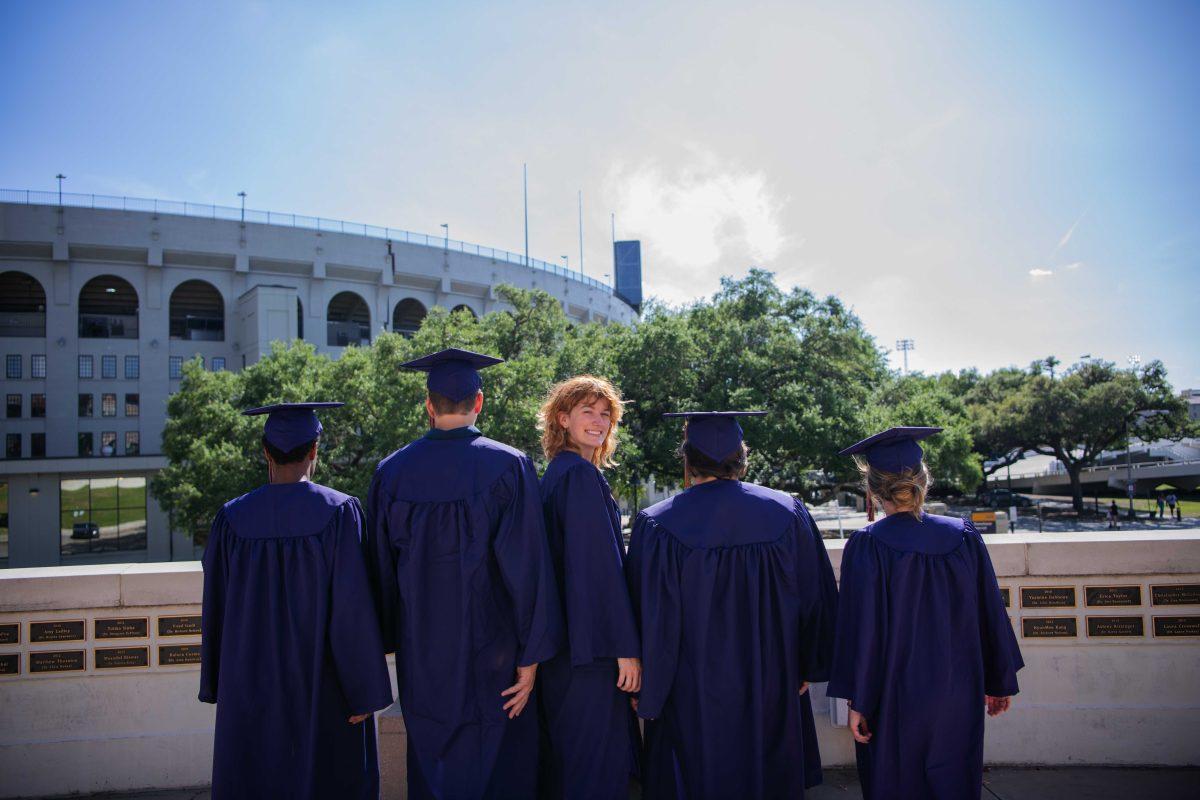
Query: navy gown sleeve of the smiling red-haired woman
[599, 616]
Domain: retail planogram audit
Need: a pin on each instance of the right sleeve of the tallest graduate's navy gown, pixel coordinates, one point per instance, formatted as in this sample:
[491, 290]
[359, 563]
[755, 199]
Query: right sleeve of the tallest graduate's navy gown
[524, 557]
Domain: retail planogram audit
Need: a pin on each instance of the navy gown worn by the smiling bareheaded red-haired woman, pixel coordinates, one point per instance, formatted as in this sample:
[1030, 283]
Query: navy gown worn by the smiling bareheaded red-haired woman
[591, 729]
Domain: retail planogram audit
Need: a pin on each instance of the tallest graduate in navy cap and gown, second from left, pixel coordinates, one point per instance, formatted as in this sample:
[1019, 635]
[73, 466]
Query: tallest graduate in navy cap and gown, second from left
[466, 592]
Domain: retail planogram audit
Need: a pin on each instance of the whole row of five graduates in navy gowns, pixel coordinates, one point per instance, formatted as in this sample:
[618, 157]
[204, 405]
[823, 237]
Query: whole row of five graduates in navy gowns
[529, 641]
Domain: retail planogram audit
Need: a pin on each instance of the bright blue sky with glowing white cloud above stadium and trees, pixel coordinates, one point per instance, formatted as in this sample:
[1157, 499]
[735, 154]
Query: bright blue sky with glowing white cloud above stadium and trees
[997, 182]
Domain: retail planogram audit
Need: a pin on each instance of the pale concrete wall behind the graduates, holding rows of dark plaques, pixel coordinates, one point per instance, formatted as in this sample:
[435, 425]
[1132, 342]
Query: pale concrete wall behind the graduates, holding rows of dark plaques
[1085, 700]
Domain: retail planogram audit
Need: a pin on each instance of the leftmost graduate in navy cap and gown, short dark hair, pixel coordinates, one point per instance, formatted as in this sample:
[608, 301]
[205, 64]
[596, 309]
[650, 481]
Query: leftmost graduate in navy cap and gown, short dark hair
[291, 649]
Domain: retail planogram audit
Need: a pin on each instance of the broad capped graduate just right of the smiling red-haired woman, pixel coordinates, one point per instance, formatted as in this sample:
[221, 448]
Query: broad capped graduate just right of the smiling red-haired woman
[736, 599]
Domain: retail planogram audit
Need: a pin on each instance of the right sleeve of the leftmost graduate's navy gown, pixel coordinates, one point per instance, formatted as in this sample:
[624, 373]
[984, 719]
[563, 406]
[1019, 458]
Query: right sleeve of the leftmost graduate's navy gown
[353, 629]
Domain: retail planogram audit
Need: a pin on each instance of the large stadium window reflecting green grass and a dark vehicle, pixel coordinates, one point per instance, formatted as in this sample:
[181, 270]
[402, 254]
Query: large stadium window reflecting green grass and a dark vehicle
[103, 514]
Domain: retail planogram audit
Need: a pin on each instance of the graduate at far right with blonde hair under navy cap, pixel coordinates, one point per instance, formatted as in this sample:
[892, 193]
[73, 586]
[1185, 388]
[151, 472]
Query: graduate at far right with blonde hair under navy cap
[925, 643]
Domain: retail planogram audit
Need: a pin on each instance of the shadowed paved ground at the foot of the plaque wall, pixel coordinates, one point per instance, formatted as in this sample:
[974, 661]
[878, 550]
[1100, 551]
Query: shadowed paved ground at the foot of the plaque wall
[1000, 784]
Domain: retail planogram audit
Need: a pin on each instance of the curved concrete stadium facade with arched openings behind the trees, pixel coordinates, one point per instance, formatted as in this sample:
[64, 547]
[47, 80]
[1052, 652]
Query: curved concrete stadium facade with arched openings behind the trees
[101, 306]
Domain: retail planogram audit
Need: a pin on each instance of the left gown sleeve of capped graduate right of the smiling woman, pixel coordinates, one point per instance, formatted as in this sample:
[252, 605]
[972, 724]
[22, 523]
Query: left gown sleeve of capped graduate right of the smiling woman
[653, 572]
